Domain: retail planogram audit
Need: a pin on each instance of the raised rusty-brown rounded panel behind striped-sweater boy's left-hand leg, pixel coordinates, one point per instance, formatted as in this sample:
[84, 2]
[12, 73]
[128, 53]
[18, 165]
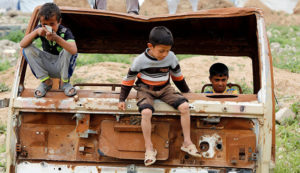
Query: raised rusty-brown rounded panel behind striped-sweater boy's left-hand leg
[130, 145]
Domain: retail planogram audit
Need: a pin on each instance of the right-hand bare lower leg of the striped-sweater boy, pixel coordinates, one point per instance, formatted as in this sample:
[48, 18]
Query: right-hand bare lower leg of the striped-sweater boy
[185, 123]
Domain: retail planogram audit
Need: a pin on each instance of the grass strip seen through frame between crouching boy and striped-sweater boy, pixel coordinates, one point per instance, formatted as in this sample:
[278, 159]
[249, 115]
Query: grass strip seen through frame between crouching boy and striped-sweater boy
[85, 59]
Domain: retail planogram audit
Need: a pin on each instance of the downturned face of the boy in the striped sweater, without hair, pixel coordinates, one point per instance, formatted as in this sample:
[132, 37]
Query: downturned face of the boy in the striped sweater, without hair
[159, 51]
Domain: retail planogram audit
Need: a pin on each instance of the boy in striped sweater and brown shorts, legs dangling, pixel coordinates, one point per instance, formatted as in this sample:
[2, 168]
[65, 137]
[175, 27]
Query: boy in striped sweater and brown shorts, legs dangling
[153, 69]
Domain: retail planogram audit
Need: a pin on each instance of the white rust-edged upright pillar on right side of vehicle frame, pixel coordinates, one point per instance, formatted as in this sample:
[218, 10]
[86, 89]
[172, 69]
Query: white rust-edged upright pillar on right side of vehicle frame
[265, 95]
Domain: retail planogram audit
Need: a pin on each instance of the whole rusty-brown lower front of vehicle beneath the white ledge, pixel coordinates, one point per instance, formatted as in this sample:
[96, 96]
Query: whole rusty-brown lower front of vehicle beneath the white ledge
[50, 136]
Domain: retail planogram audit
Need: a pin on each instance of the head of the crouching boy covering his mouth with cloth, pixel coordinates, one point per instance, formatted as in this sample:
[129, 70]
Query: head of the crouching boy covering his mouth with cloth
[49, 14]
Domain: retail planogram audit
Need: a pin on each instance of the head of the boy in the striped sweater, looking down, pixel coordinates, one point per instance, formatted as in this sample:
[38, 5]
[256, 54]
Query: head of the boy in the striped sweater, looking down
[160, 42]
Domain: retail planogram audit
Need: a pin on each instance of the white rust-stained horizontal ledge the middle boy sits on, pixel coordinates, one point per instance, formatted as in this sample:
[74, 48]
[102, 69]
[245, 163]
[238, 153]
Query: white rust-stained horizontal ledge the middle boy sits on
[103, 103]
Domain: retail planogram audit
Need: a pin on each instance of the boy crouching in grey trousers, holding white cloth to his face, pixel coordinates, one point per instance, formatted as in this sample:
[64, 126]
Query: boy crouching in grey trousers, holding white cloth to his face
[59, 51]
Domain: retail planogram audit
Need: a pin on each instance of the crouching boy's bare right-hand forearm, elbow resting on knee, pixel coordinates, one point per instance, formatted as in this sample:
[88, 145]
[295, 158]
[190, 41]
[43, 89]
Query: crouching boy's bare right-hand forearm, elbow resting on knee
[67, 45]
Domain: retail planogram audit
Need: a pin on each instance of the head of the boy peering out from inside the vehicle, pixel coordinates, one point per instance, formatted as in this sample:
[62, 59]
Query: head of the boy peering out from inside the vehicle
[218, 76]
